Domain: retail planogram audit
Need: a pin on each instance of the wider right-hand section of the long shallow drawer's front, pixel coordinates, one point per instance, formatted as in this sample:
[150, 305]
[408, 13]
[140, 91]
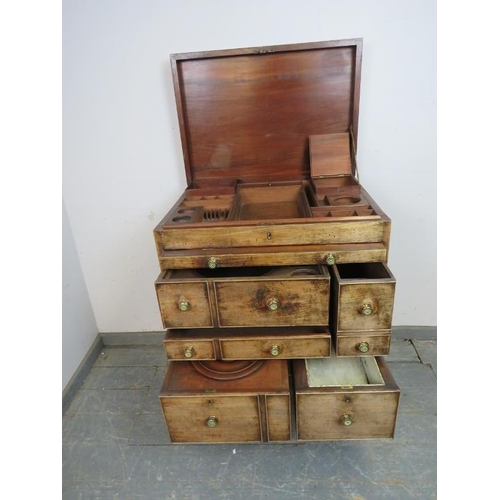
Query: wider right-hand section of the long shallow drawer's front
[312, 346]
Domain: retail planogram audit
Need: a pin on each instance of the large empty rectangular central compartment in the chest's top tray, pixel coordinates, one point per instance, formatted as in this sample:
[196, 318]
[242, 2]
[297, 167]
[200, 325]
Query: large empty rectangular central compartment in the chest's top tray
[271, 202]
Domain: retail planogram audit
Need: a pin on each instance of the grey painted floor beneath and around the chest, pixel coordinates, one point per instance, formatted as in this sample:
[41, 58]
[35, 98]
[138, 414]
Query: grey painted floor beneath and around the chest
[115, 444]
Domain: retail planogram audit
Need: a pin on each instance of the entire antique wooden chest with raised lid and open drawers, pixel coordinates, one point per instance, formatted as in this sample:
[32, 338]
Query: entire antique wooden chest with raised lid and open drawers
[274, 251]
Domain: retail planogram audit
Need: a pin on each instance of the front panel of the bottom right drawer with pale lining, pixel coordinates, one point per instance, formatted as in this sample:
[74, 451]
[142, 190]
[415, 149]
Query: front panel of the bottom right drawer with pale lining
[325, 416]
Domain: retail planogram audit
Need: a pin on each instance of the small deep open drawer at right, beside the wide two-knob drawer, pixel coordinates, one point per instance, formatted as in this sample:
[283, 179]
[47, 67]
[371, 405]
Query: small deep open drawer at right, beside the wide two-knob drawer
[363, 297]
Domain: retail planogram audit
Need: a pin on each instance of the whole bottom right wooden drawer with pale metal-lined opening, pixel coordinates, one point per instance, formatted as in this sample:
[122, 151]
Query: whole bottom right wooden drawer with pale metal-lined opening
[344, 398]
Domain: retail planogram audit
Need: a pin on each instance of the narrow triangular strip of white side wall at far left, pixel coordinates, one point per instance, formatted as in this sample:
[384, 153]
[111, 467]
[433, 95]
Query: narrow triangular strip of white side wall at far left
[79, 328]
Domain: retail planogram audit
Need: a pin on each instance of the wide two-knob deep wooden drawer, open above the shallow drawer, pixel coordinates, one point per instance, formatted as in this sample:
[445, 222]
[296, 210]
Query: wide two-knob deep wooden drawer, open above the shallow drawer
[241, 297]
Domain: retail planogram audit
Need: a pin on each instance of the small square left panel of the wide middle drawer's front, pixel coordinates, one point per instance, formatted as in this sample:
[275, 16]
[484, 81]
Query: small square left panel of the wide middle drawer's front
[184, 305]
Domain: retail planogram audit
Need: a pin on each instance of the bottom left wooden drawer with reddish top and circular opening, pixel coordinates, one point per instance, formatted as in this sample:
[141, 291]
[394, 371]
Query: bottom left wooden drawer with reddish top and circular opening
[255, 408]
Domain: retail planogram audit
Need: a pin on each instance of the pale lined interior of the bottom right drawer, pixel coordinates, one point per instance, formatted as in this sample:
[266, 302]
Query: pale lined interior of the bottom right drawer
[338, 372]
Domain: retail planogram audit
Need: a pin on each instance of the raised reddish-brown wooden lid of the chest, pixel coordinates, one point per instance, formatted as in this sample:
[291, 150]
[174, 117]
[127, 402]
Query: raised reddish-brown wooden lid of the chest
[247, 114]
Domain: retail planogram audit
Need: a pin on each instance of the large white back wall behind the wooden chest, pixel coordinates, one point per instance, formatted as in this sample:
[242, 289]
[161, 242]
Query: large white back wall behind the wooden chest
[122, 156]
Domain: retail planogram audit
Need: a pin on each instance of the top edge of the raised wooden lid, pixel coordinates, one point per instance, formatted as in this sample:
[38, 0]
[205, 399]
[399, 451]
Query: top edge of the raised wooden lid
[348, 42]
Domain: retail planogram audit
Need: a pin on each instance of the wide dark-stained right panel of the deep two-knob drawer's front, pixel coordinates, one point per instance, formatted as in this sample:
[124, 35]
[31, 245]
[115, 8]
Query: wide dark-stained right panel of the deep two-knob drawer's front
[273, 303]
